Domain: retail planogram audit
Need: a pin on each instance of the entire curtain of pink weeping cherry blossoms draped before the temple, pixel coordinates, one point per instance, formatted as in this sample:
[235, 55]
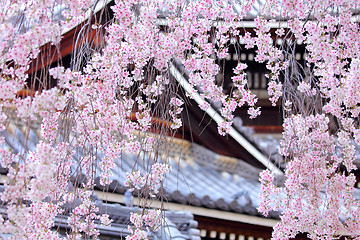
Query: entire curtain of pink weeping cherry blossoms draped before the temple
[91, 111]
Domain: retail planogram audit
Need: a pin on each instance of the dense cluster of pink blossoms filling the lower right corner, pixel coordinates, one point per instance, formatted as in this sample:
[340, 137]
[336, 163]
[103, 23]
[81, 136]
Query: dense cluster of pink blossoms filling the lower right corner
[316, 193]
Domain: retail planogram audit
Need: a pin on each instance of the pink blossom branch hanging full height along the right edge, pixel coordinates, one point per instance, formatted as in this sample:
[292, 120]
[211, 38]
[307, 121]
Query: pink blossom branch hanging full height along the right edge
[318, 193]
